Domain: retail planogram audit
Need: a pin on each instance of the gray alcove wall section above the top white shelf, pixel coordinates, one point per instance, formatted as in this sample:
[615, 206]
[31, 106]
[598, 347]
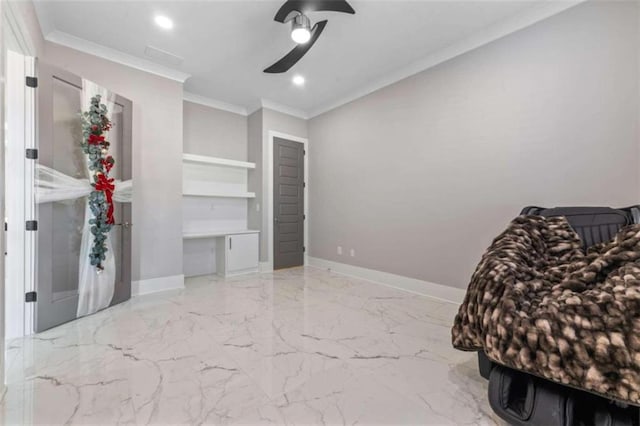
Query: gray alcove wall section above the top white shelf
[213, 132]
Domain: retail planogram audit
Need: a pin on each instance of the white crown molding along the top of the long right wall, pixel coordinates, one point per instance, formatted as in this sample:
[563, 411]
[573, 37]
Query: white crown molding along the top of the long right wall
[491, 33]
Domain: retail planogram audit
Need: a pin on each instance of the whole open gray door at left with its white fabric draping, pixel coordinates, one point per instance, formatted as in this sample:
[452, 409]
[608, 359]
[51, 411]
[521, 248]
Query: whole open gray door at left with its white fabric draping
[68, 284]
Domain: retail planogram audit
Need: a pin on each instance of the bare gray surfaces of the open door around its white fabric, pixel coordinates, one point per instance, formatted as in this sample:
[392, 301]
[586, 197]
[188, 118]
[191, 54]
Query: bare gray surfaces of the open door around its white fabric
[60, 223]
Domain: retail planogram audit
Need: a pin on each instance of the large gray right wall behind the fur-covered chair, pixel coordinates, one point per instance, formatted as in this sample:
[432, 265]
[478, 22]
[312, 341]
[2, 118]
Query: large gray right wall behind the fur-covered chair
[420, 176]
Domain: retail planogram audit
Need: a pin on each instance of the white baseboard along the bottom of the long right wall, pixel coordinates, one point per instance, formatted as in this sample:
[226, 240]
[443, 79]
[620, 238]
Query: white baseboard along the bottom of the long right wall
[412, 285]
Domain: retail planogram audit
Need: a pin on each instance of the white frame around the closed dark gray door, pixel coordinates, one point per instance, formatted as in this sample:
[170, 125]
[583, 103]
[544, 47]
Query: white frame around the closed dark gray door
[269, 196]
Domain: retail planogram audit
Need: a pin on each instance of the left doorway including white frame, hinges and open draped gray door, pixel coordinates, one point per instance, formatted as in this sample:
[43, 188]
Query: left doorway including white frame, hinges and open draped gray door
[48, 221]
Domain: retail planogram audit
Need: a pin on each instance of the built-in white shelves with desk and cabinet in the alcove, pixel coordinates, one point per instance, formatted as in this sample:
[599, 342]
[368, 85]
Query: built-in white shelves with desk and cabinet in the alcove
[215, 217]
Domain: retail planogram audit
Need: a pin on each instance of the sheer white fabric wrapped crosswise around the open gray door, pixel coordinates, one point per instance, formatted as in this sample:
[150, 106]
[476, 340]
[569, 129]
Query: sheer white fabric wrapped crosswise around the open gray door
[95, 288]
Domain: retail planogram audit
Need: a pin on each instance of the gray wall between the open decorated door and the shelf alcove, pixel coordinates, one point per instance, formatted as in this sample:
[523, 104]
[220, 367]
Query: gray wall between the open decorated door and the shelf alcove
[157, 157]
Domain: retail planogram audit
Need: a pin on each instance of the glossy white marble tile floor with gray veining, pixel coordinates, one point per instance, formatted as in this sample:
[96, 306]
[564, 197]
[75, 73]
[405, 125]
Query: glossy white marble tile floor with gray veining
[301, 346]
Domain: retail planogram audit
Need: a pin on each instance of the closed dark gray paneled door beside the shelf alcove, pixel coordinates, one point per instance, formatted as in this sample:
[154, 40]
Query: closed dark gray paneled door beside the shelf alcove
[288, 203]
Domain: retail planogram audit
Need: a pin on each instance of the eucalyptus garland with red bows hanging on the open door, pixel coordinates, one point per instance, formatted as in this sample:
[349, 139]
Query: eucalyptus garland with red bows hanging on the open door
[95, 123]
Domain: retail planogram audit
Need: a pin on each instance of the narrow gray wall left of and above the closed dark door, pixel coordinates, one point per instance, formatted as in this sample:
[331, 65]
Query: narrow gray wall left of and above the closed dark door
[260, 123]
